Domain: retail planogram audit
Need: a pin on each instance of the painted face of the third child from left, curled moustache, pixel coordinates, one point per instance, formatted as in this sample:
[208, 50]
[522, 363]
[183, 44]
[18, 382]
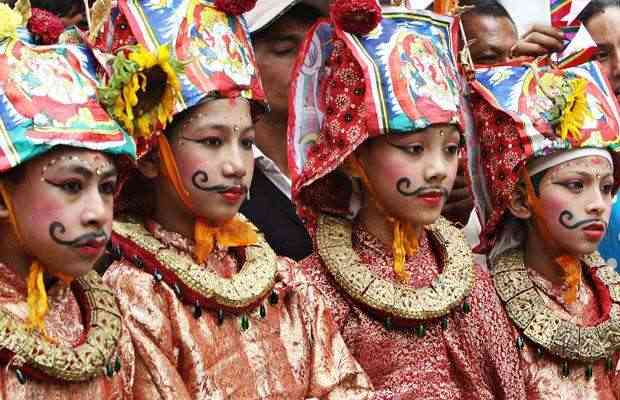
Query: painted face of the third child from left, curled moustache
[413, 174]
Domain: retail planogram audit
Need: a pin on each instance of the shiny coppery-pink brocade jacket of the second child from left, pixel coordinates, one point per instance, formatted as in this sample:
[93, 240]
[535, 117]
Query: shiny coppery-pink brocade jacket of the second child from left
[292, 350]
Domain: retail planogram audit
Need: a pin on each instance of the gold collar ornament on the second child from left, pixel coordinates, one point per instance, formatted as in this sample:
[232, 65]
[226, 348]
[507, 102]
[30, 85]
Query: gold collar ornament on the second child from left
[191, 281]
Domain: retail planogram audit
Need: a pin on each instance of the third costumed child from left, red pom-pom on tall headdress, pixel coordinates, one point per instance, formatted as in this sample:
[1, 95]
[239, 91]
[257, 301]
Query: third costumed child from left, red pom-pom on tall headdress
[377, 125]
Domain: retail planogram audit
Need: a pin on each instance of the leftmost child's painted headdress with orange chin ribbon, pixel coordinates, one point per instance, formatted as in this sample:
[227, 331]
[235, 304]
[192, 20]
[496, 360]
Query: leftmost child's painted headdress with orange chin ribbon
[48, 98]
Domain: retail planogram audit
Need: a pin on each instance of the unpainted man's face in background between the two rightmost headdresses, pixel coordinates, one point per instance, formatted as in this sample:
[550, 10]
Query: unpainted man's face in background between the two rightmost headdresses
[491, 38]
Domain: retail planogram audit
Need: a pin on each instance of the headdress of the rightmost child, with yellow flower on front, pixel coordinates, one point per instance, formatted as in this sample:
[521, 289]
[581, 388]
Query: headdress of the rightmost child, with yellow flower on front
[524, 112]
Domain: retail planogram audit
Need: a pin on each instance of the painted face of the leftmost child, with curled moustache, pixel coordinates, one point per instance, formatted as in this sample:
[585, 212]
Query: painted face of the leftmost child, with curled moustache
[64, 208]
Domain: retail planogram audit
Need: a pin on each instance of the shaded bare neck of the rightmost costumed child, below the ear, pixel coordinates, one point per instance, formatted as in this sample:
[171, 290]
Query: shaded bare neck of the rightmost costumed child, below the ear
[539, 257]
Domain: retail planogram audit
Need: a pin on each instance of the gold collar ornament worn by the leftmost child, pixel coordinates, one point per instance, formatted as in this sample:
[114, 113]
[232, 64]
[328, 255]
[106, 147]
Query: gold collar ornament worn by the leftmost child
[33, 355]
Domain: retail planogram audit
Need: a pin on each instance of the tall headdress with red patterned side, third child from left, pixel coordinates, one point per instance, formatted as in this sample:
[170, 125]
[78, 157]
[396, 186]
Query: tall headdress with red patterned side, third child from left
[366, 72]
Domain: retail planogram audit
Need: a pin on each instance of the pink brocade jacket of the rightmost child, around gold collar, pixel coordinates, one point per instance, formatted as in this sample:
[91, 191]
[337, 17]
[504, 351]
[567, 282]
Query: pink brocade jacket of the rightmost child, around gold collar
[543, 375]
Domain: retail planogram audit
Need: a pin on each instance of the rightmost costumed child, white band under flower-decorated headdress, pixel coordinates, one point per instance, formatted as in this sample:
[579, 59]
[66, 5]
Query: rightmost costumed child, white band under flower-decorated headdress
[544, 169]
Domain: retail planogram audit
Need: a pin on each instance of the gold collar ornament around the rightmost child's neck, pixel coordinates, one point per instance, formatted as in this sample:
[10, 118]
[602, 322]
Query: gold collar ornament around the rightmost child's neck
[544, 327]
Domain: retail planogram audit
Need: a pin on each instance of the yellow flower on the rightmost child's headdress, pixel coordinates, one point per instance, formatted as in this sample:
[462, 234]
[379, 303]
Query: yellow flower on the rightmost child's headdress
[575, 109]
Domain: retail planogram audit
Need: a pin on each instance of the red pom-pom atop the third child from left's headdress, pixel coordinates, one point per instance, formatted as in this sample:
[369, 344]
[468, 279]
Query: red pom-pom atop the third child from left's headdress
[356, 16]
